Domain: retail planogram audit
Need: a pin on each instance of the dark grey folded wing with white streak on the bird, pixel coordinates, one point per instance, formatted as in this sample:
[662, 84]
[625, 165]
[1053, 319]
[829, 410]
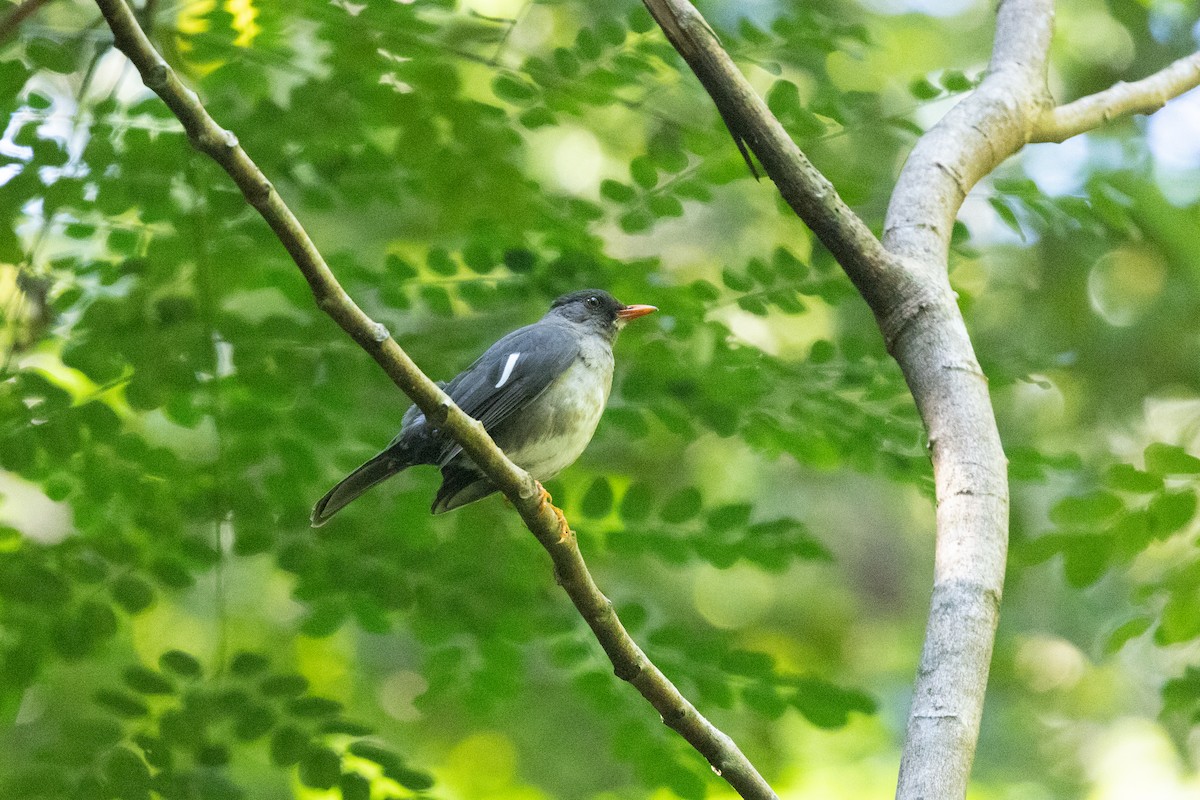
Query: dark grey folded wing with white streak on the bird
[513, 374]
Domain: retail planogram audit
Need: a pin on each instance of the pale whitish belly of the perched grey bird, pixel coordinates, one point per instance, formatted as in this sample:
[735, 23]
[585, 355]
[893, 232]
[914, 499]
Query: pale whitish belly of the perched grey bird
[565, 419]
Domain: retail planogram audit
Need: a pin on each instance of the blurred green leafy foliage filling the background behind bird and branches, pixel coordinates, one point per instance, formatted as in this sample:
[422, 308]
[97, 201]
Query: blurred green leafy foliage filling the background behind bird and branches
[758, 501]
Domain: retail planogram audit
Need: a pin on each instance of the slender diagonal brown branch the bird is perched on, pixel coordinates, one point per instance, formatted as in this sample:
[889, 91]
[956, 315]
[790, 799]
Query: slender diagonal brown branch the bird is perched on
[629, 663]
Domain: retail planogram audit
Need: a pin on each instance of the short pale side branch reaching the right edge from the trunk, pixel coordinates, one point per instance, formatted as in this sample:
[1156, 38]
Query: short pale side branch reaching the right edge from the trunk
[1144, 97]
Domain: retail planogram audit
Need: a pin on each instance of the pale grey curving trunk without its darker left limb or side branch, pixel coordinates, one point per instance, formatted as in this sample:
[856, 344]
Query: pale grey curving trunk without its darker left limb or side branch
[952, 395]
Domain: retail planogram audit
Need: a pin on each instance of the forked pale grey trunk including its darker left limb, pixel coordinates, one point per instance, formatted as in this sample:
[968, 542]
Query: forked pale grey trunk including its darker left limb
[908, 288]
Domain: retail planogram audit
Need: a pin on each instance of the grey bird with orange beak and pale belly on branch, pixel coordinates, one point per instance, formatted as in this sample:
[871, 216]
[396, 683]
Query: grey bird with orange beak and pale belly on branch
[539, 393]
